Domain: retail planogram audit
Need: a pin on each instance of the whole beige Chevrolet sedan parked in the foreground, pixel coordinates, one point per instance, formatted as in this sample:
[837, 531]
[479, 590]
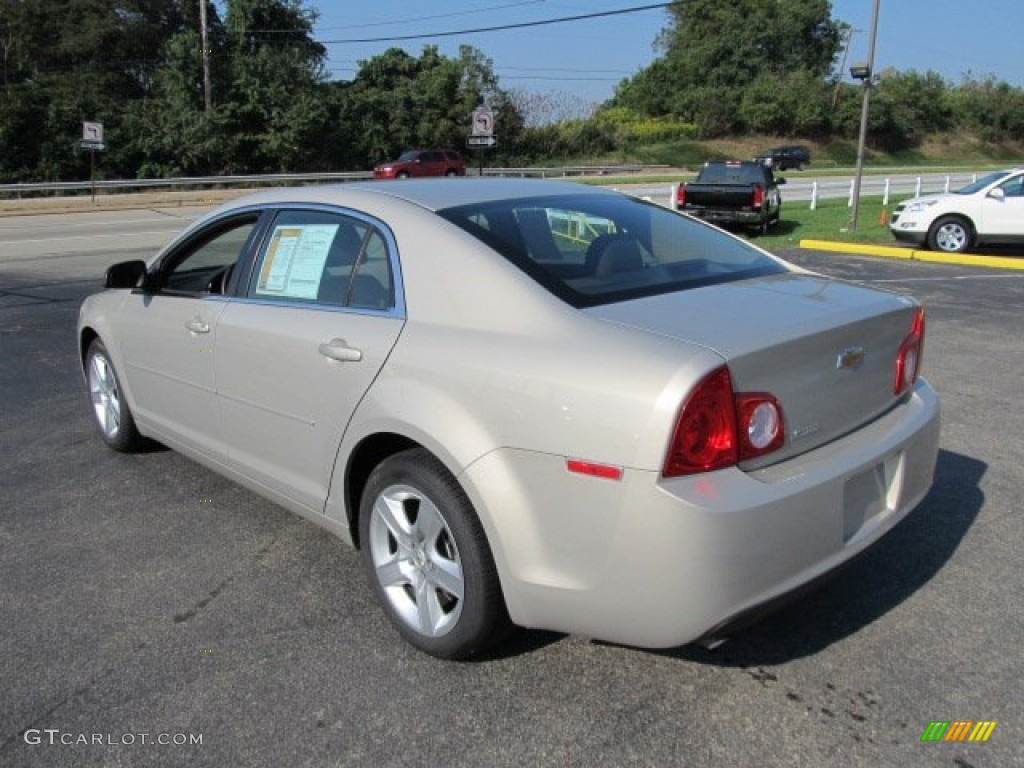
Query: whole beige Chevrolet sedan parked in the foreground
[527, 403]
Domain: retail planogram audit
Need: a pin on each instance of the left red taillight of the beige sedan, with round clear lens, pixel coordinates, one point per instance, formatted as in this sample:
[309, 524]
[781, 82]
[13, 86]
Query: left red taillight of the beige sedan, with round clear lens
[718, 429]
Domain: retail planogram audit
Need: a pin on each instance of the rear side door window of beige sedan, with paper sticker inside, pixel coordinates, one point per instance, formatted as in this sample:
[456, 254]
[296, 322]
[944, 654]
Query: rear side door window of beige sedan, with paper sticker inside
[327, 260]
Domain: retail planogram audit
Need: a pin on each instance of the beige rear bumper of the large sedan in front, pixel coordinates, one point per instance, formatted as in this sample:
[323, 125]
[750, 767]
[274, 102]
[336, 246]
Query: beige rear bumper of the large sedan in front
[659, 563]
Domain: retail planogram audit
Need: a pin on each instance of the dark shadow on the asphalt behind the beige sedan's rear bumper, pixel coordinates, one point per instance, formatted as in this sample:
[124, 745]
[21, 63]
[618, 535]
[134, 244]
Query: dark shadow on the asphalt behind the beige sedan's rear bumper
[871, 586]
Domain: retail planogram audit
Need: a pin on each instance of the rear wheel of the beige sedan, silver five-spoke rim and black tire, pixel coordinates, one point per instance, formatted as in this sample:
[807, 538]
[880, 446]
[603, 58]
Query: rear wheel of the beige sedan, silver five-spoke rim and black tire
[428, 559]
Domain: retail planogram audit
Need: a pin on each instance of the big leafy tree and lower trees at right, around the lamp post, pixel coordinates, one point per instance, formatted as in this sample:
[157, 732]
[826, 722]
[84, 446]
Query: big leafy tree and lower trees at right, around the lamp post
[772, 68]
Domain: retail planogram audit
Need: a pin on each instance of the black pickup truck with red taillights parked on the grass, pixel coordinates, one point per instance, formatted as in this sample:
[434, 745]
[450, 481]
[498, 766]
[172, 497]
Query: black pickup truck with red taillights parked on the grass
[734, 194]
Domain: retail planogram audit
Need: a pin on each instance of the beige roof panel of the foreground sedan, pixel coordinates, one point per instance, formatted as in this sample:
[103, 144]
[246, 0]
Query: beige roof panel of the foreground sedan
[432, 194]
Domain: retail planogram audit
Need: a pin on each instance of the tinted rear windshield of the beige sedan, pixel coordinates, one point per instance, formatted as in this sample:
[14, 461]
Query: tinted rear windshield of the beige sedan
[591, 249]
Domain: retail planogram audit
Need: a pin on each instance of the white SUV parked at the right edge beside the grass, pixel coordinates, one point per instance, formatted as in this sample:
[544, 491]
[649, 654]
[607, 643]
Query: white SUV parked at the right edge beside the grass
[989, 212]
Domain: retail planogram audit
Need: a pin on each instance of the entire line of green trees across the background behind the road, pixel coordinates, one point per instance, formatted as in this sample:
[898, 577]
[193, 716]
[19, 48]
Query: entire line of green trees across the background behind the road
[140, 67]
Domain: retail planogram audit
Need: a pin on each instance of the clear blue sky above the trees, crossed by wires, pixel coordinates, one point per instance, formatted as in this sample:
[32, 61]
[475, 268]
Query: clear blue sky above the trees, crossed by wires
[584, 60]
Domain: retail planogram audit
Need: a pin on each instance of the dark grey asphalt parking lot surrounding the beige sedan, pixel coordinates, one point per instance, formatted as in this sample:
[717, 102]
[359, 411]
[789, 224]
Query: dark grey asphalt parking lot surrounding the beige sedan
[146, 601]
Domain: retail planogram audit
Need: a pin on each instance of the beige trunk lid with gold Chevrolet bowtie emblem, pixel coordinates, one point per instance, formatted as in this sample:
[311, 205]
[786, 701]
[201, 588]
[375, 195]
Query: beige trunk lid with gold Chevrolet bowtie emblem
[826, 350]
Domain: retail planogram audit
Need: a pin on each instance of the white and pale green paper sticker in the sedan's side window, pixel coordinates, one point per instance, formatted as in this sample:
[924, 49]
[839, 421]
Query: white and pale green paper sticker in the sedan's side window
[293, 265]
